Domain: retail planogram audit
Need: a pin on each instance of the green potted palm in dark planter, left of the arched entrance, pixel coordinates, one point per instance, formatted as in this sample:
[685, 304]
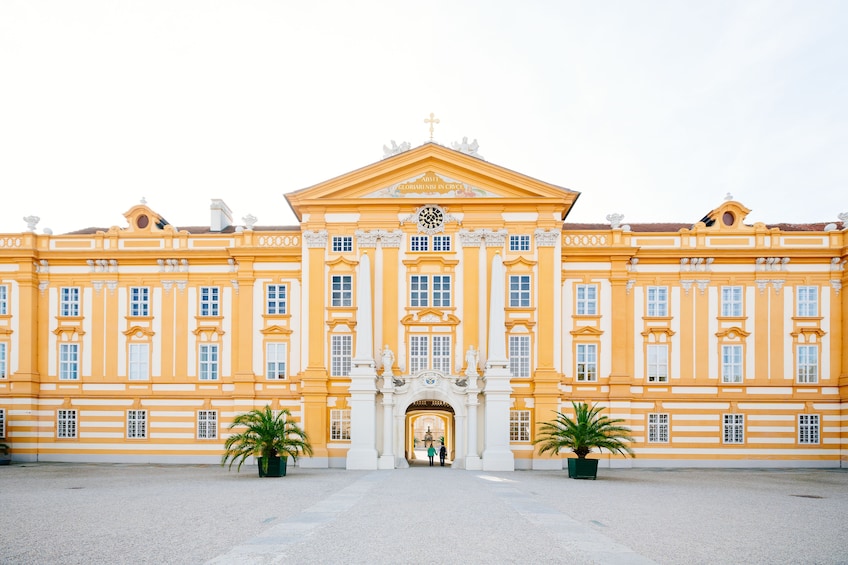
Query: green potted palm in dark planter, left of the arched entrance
[271, 437]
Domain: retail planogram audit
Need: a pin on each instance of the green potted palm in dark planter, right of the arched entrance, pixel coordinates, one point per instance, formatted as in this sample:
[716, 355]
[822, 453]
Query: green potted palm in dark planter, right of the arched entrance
[588, 430]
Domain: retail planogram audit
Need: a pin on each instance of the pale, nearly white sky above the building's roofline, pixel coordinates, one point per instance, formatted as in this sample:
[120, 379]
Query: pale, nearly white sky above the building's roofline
[652, 109]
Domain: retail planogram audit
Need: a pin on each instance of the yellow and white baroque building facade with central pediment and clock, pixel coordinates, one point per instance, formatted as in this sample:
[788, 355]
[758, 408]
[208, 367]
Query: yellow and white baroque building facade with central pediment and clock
[433, 288]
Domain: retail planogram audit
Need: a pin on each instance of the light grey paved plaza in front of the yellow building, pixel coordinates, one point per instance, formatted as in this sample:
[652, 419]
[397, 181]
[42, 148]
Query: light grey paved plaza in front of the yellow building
[115, 513]
